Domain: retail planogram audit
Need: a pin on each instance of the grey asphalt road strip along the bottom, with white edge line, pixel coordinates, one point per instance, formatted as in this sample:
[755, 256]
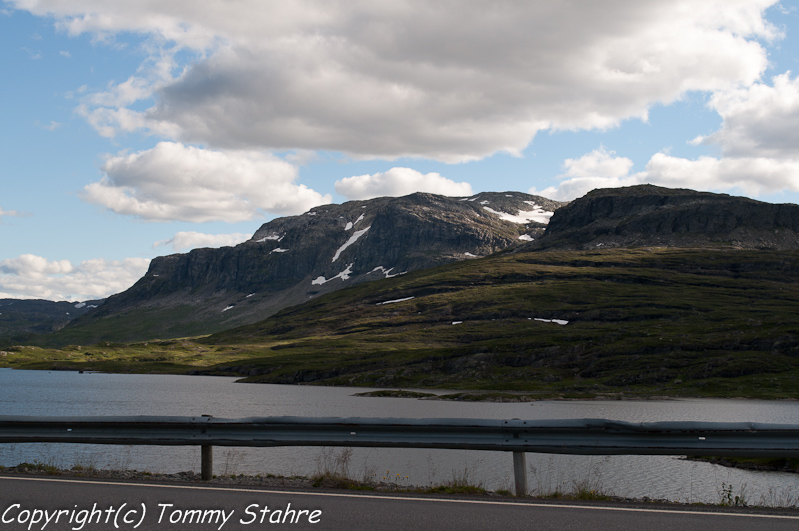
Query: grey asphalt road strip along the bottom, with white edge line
[27, 503]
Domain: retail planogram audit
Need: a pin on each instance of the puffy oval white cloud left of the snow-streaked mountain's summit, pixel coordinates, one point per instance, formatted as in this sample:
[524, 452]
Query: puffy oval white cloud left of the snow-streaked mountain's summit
[176, 182]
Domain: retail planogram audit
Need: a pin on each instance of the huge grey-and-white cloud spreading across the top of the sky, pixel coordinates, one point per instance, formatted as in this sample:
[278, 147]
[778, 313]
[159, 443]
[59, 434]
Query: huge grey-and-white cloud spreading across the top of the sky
[453, 81]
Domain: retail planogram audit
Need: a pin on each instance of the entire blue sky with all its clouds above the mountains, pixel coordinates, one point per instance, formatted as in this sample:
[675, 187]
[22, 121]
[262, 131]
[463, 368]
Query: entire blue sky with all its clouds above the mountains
[131, 130]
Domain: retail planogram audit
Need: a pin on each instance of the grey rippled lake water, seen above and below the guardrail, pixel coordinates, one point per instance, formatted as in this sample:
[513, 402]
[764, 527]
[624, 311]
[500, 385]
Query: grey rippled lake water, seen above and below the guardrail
[72, 394]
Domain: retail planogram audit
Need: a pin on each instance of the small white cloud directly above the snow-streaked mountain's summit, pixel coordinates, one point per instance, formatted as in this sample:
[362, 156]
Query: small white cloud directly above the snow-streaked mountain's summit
[397, 182]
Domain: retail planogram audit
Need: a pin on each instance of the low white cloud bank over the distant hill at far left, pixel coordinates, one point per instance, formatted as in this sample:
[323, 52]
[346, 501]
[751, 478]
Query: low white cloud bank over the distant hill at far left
[34, 277]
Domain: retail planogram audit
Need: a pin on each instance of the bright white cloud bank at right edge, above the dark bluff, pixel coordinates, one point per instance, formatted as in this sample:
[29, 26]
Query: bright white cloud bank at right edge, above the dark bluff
[759, 144]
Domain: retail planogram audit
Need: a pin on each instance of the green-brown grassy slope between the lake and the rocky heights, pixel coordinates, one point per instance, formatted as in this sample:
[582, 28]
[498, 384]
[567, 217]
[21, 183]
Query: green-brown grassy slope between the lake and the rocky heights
[664, 322]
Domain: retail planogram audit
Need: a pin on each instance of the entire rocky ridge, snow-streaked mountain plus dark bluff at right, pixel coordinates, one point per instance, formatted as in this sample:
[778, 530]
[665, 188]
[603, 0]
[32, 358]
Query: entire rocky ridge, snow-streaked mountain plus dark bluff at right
[294, 259]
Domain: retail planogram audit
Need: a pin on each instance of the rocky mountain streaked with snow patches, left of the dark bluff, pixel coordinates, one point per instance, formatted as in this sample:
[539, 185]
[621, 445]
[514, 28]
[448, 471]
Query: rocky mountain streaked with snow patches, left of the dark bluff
[291, 260]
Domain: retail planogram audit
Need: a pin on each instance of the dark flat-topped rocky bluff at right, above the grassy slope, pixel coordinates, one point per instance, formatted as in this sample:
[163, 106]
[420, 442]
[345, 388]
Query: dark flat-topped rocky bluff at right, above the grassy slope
[648, 215]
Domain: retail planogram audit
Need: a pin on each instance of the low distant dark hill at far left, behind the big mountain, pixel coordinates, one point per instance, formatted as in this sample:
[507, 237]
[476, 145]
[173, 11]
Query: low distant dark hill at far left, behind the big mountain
[20, 319]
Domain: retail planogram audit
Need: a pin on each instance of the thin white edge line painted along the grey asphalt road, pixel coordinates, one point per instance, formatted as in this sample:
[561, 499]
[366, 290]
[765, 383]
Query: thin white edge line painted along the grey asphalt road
[408, 498]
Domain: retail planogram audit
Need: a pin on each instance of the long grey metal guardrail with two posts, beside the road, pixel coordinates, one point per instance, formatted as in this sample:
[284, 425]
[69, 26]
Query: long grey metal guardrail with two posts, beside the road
[579, 436]
